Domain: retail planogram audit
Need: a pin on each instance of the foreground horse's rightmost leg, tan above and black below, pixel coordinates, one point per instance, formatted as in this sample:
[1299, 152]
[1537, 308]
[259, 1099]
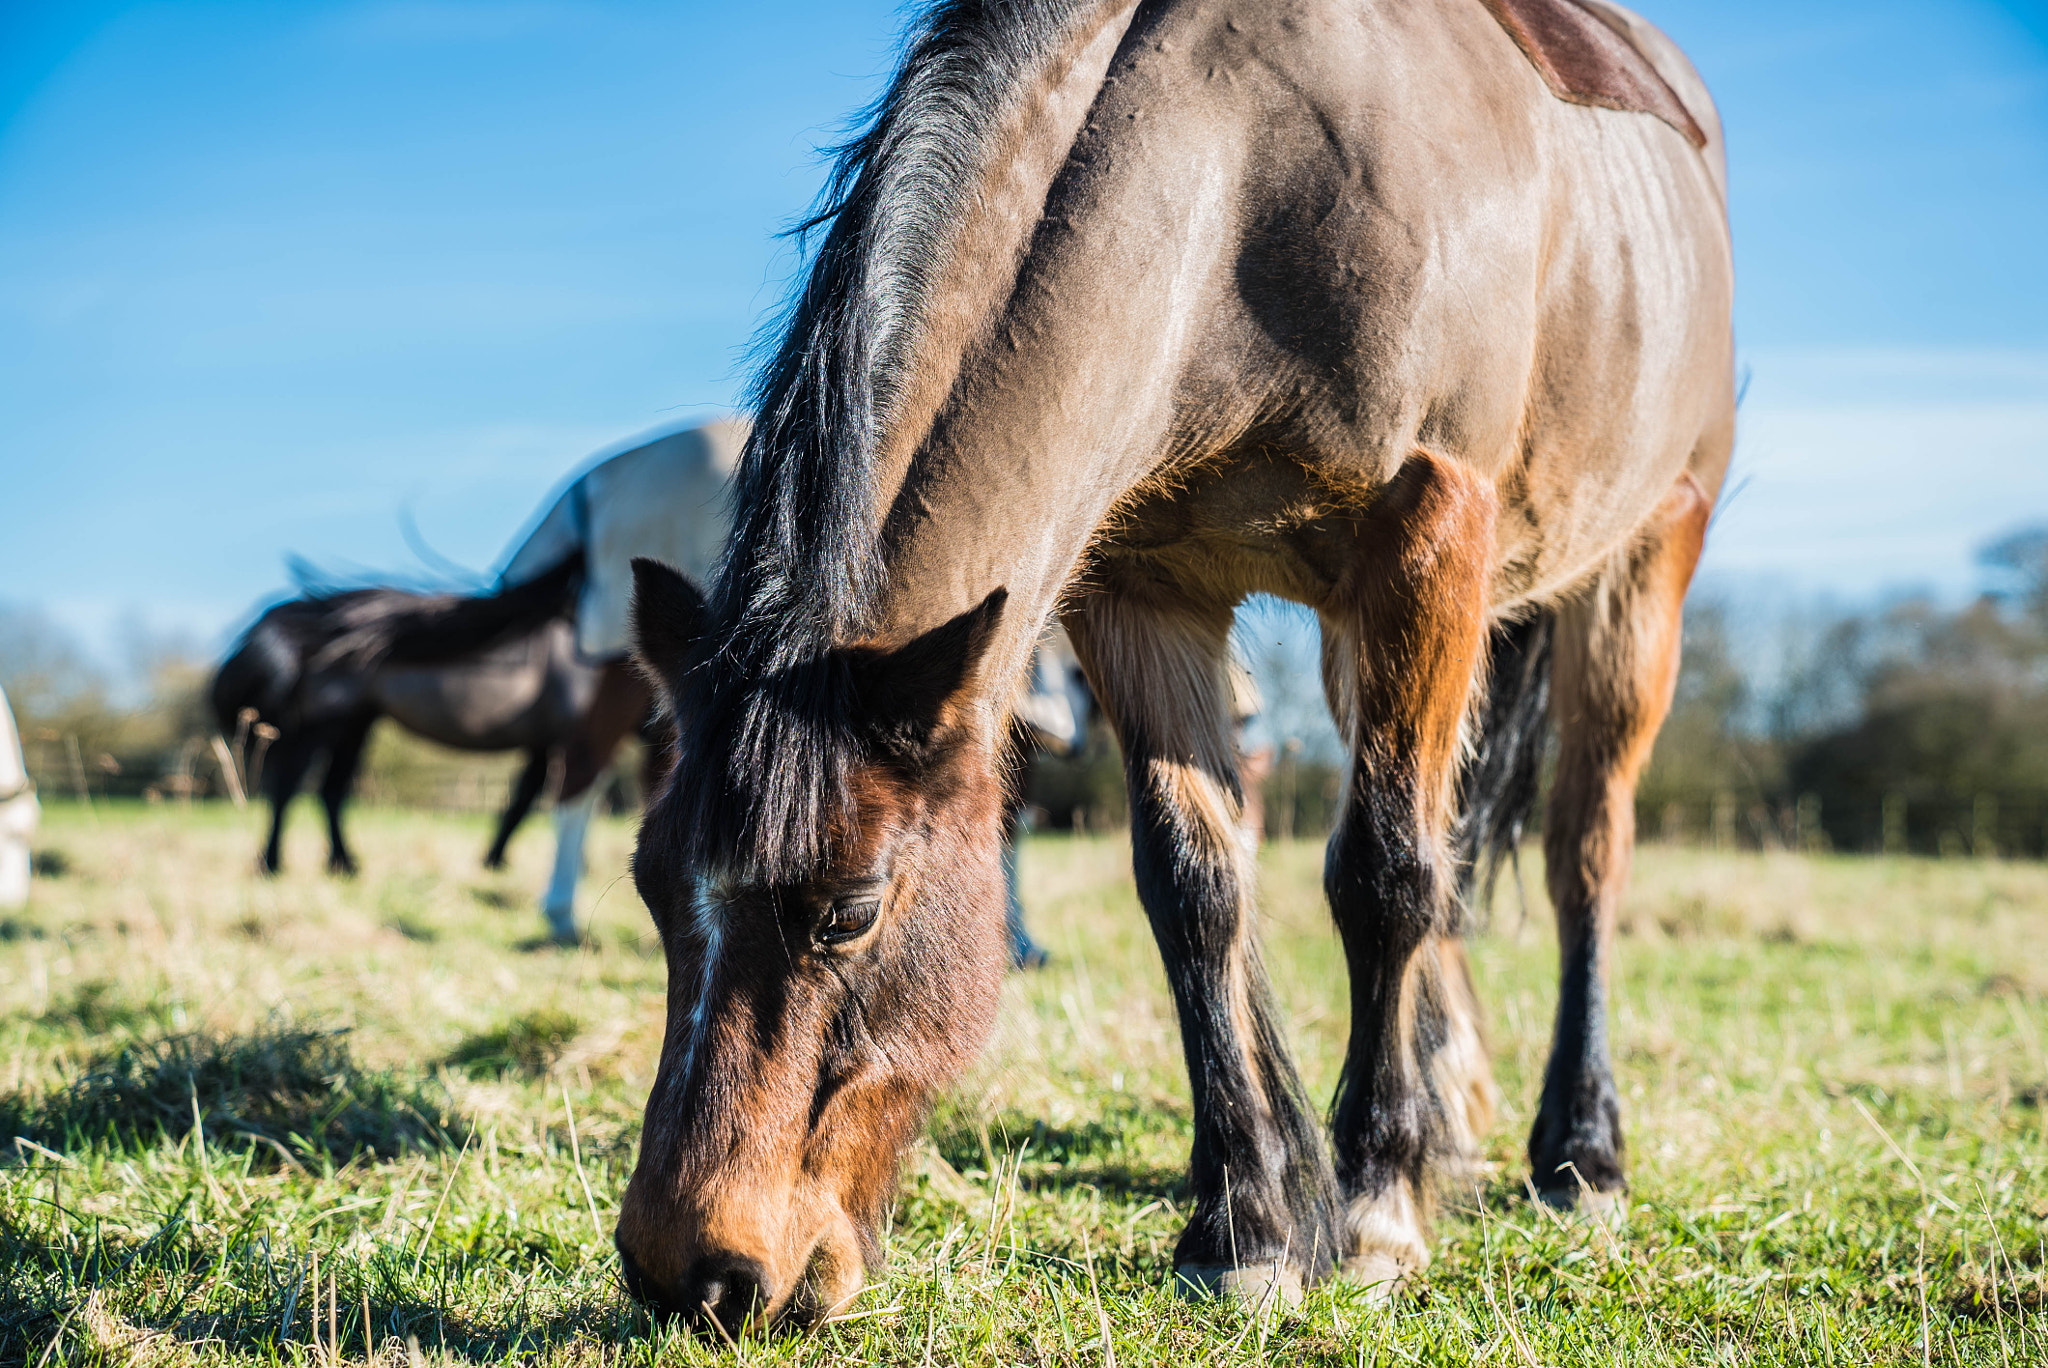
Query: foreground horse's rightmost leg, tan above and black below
[1615, 671]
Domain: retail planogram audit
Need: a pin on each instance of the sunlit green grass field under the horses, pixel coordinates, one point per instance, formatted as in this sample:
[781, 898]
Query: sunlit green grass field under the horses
[237, 1095]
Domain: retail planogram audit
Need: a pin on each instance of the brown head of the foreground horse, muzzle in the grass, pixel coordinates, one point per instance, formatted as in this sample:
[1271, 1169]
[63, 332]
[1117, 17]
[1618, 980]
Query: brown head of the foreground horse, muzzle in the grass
[814, 1011]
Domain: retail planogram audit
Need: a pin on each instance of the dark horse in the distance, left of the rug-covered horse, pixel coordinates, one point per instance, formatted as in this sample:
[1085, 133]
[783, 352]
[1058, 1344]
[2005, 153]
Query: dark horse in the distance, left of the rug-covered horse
[321, 671]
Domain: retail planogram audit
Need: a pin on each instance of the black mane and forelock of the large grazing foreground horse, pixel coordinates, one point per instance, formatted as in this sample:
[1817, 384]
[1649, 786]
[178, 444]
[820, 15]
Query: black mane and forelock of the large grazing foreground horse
[773, 730]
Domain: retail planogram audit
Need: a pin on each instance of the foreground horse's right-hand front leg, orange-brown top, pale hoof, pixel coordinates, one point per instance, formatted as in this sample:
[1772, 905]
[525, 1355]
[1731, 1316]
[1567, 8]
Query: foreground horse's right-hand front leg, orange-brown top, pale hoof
[1402, 648]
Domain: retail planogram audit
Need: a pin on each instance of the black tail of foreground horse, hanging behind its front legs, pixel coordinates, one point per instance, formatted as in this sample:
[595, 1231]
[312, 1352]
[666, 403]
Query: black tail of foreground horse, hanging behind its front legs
[1504, 769]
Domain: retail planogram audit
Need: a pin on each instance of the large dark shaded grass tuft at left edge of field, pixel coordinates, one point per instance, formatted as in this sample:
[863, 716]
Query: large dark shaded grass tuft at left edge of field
[290, 1093]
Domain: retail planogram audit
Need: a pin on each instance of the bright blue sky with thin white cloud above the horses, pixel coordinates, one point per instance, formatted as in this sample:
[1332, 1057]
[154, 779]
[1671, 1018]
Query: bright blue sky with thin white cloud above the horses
[278, 275]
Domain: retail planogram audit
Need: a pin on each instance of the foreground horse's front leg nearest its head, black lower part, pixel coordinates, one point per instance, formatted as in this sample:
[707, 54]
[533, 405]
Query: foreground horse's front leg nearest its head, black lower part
[1265, 1211]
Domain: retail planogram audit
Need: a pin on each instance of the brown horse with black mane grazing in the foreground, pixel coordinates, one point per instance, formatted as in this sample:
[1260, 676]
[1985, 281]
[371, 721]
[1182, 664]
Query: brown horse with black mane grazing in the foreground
[1414, 312]
